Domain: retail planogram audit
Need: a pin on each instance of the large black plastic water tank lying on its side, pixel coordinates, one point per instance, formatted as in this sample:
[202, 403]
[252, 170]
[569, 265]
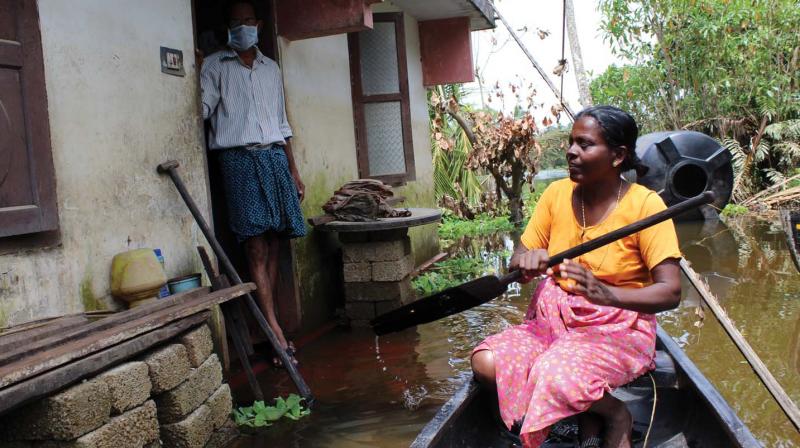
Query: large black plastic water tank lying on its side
[684, 164]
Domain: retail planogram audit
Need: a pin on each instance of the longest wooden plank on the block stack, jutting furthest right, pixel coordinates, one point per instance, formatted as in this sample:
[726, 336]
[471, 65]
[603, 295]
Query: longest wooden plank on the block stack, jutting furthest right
[40, 362]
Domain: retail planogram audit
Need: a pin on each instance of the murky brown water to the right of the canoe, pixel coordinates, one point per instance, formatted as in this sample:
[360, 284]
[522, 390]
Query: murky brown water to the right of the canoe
[749, 269]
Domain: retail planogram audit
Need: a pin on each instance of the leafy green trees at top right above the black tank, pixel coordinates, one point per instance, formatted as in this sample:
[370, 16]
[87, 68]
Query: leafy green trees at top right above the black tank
[713, 65]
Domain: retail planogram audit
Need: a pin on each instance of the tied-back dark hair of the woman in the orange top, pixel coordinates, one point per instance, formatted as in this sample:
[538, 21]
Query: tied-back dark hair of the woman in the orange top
[619, 130]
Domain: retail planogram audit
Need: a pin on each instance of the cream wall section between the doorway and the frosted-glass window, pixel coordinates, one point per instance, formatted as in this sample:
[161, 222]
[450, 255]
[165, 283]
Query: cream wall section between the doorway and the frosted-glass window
[316, 76]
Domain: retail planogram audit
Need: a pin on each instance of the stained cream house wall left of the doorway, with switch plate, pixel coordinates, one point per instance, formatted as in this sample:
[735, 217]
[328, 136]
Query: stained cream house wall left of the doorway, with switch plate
[113, 117]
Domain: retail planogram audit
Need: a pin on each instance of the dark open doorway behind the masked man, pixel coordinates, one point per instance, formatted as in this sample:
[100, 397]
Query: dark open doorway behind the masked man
[211, 36]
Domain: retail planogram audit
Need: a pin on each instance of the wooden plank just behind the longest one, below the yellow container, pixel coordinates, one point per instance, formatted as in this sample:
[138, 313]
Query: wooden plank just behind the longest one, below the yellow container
[102, 324]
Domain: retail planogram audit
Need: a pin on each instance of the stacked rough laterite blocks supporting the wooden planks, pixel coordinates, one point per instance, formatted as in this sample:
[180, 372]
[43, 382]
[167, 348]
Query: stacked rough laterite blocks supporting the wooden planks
[173, 396]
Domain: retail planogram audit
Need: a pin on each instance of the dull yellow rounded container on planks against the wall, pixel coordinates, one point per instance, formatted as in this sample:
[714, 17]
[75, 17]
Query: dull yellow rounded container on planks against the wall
[136, 276]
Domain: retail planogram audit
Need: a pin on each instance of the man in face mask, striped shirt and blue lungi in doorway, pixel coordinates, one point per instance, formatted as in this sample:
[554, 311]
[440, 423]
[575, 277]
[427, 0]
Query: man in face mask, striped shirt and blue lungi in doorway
[243, 99]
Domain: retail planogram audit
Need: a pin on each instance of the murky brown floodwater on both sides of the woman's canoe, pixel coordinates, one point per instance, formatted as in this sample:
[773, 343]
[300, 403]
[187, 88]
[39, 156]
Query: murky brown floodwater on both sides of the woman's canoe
[379, 392]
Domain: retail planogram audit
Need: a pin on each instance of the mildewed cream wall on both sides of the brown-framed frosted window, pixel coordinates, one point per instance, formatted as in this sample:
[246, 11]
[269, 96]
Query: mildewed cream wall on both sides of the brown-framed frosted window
[319, 103]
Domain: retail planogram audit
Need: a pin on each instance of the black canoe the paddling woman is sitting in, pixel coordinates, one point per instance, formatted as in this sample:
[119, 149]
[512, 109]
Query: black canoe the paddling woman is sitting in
[689, 412]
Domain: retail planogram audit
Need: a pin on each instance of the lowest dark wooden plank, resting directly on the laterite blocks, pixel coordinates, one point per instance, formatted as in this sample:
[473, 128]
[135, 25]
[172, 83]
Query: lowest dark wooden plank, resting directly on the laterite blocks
[54, 380]
